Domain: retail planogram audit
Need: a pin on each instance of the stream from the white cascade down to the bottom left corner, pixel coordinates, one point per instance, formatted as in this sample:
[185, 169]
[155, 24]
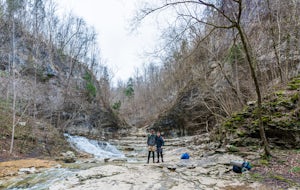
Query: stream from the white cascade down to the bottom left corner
[45, 178]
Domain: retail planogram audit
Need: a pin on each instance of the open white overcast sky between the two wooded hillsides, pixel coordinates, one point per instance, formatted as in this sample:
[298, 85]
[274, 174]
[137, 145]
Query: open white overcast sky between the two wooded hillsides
[122, 51]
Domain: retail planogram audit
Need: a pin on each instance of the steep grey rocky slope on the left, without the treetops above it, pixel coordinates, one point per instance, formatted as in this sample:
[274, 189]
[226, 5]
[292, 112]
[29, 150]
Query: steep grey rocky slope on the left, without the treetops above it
[55, 93]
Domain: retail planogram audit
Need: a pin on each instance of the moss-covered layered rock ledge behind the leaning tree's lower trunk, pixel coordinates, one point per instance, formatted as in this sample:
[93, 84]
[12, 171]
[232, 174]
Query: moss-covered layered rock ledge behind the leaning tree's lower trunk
[281, 111]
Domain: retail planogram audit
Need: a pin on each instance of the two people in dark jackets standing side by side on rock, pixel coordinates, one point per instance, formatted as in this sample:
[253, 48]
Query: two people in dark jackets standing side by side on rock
[155, 142]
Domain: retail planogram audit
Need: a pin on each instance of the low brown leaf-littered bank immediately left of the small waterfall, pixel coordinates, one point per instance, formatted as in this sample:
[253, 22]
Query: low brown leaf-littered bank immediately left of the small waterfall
[33, 138]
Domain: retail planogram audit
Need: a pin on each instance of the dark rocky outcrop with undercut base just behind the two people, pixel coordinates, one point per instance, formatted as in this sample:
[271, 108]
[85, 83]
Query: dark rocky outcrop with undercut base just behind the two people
[190, 113]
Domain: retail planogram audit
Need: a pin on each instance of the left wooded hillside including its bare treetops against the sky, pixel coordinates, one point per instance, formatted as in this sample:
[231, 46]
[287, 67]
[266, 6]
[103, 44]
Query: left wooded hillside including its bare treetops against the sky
[52, 80]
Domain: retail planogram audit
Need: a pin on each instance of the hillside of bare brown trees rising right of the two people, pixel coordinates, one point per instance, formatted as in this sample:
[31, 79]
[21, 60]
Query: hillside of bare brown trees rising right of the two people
[203, 73]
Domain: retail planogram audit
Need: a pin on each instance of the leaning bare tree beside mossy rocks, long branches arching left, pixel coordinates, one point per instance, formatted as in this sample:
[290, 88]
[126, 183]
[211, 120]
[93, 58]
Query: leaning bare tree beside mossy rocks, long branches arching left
[231, 11]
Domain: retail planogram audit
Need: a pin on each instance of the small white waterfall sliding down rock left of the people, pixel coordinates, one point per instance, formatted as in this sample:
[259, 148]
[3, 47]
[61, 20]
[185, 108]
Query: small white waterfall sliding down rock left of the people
[97, 148]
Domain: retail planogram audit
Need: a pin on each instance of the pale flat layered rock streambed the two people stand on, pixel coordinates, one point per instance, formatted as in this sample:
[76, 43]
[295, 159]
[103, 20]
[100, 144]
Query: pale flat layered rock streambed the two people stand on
[207, 168]
